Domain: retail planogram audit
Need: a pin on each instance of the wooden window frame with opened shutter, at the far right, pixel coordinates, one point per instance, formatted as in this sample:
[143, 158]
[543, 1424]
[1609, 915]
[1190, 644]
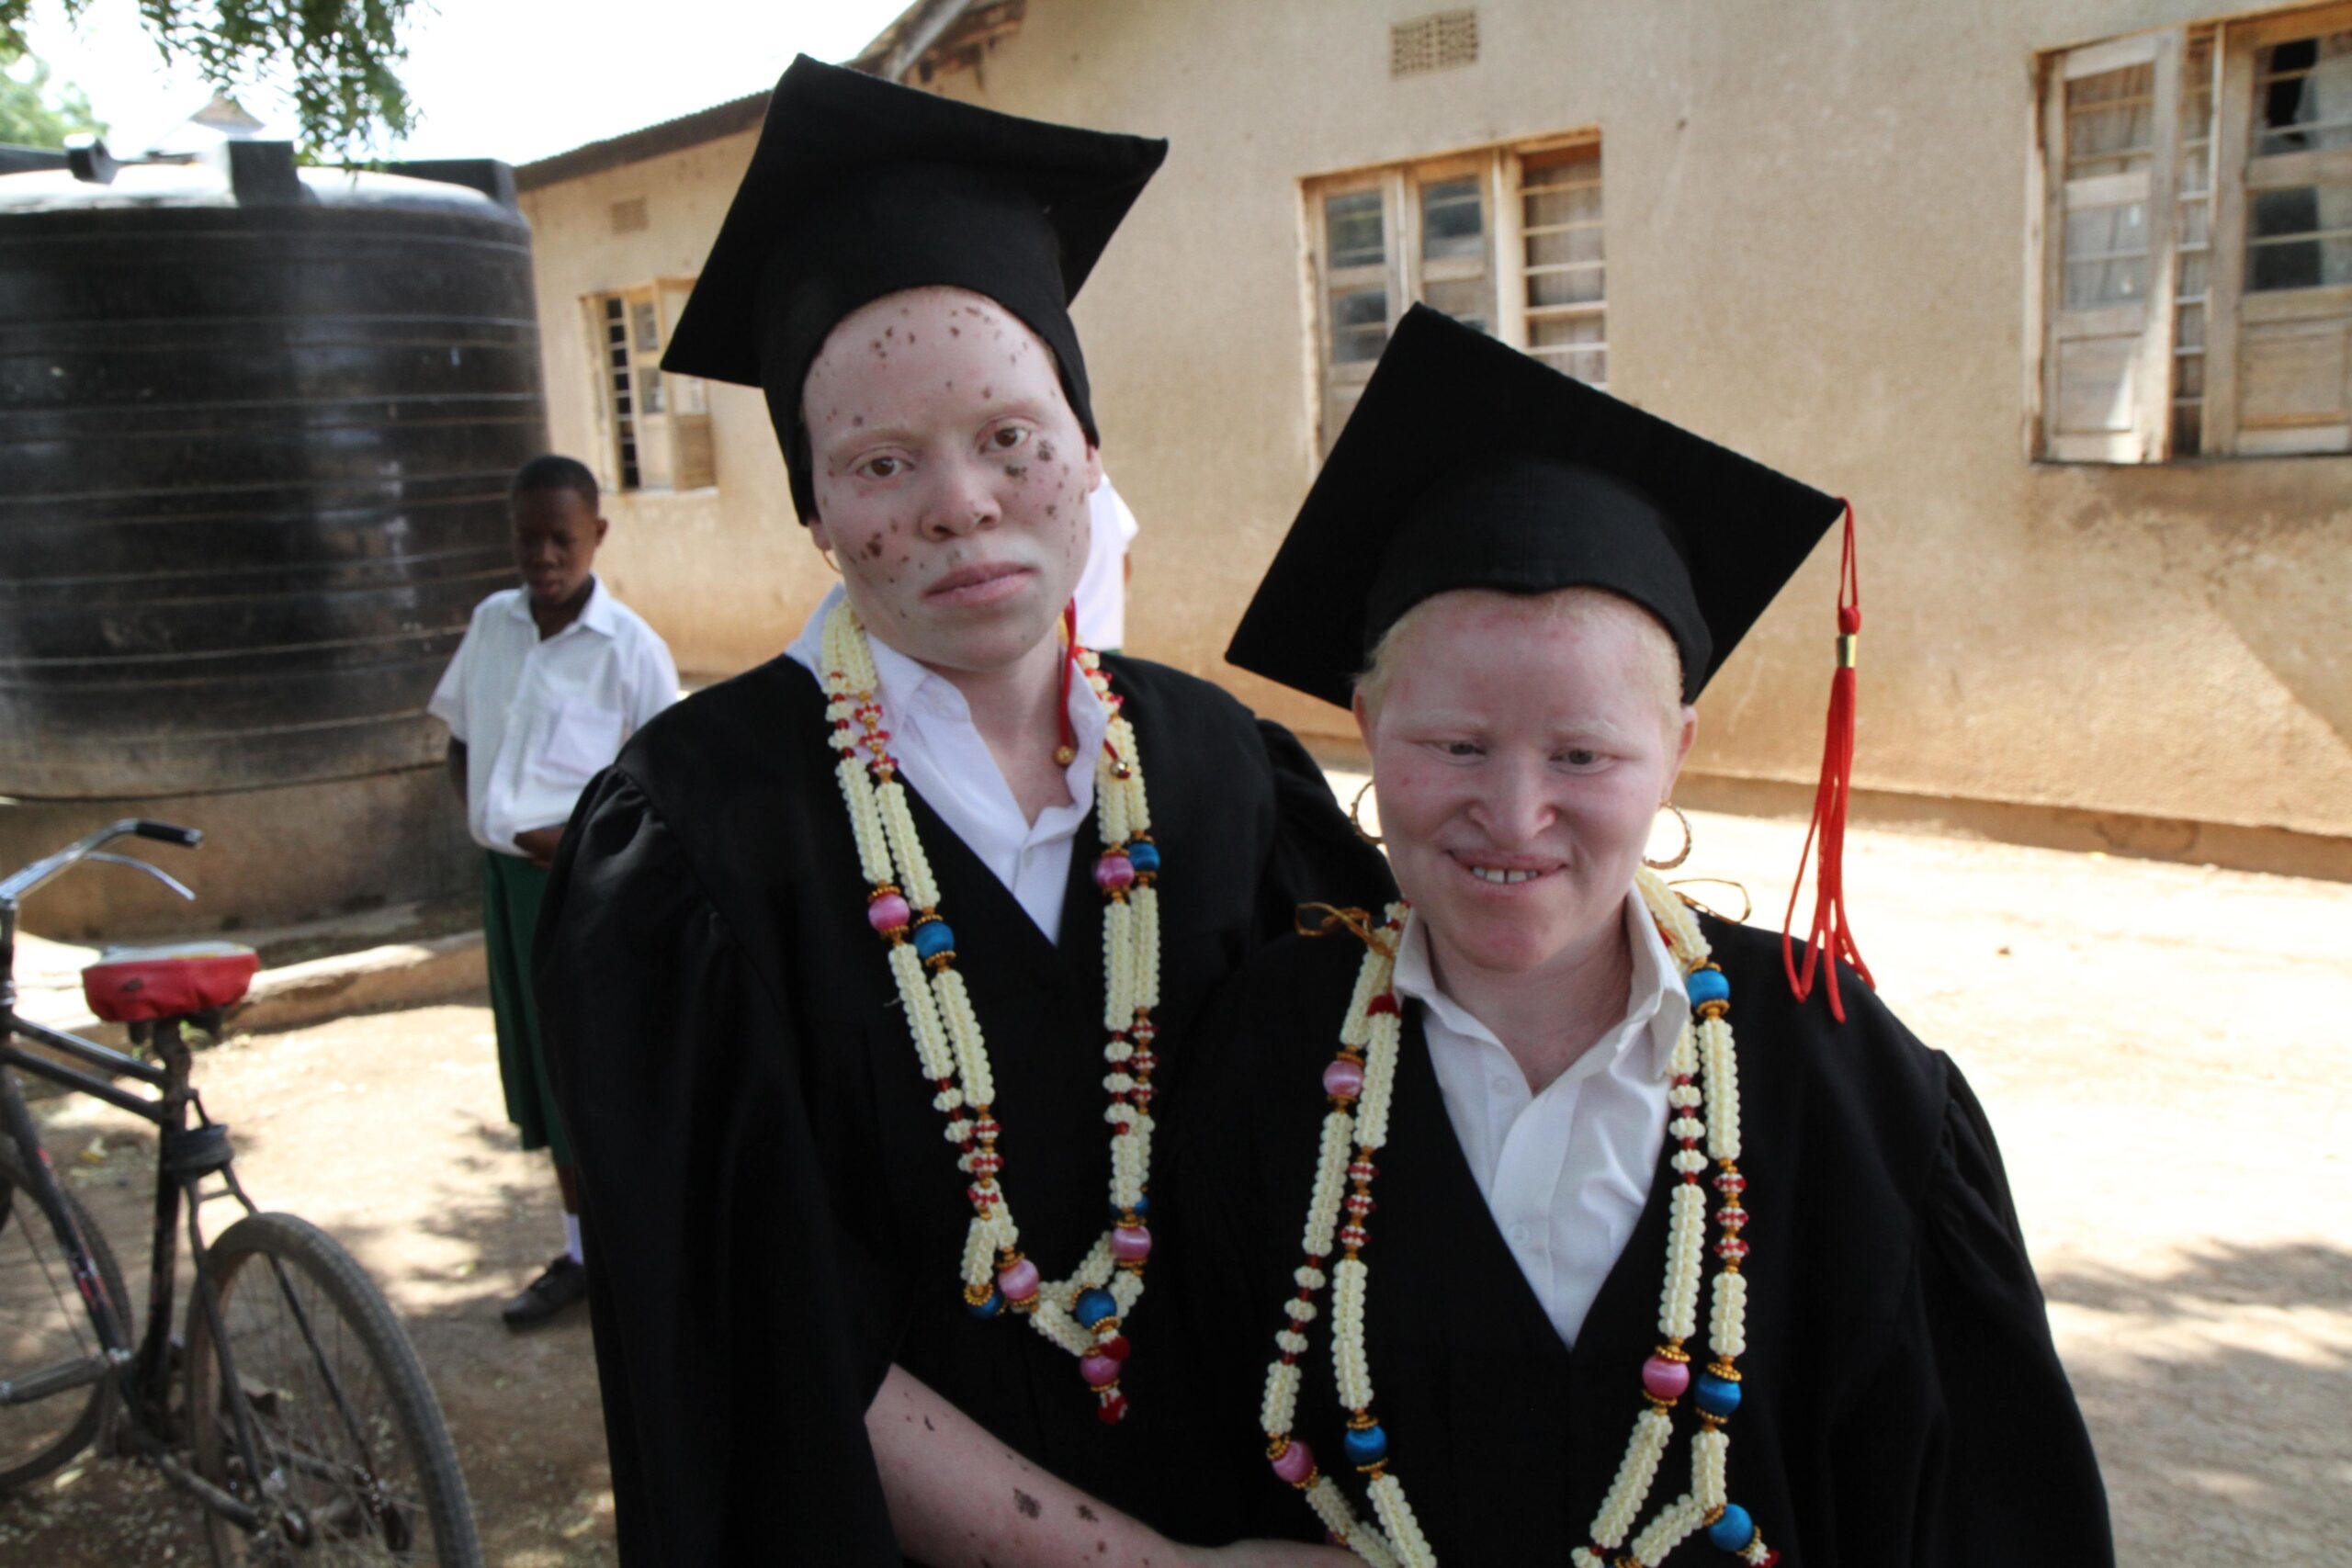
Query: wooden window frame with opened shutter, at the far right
[2254, 342]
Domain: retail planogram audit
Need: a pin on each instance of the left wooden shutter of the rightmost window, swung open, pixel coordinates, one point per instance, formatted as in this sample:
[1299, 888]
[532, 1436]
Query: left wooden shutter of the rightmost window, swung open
[2111, 135]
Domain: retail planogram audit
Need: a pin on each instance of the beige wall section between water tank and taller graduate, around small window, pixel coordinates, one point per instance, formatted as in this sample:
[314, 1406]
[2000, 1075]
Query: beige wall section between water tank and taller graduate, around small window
[726, 575]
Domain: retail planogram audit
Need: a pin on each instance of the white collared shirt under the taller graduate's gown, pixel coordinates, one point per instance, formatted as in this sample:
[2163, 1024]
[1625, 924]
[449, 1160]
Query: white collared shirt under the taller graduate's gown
[942, 753]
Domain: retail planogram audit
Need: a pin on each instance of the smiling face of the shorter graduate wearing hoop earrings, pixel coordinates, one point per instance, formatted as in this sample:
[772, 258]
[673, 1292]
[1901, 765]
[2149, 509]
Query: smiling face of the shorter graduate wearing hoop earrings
[1521, 760]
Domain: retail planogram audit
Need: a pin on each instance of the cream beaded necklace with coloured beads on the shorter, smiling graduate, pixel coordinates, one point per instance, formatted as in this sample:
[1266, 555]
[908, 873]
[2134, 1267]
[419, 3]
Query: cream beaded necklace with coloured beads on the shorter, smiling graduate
[1361, 1085]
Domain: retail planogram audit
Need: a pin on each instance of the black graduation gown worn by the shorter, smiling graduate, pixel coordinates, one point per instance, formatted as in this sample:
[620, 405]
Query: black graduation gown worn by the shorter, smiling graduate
[1904, 1402]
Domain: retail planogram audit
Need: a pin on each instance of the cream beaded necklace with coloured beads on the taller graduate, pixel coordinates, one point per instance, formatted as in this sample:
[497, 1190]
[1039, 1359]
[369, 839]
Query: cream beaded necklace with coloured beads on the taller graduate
[1085, 1311]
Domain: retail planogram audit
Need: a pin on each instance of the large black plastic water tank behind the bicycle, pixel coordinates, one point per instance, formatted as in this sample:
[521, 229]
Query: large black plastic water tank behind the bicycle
[255, 438]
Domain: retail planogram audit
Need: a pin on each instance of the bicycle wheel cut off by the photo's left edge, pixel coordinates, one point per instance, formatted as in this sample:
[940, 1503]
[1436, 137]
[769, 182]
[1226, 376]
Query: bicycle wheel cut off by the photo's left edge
[44, 1322]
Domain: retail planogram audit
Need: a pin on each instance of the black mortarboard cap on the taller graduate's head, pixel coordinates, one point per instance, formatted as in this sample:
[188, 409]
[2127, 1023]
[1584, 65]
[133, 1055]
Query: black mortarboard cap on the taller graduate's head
[864, 189]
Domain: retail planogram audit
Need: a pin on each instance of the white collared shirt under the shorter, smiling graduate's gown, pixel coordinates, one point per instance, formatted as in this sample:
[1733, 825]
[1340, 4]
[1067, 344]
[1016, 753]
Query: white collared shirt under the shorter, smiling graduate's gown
[1565, 1172]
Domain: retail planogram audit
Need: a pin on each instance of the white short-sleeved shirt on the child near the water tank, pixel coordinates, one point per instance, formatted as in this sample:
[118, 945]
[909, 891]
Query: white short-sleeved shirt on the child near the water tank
[540, 716]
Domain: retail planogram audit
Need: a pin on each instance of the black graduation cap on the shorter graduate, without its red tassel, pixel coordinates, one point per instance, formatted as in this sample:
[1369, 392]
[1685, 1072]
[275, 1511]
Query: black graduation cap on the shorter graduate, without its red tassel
[1469, 464]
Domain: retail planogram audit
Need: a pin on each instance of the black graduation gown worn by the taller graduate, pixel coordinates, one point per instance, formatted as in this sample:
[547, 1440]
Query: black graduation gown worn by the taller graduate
[773, 1209]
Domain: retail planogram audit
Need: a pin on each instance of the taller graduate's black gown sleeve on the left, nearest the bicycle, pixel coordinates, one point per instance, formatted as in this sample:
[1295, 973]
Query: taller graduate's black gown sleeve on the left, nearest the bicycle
[737, 1327]
